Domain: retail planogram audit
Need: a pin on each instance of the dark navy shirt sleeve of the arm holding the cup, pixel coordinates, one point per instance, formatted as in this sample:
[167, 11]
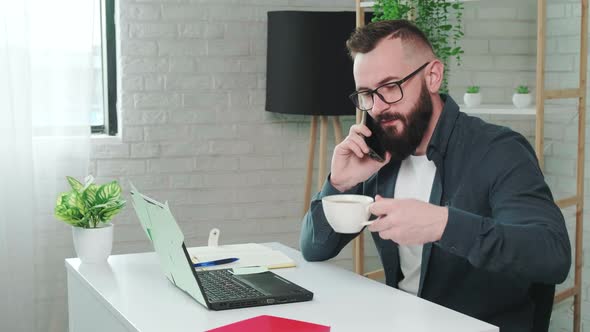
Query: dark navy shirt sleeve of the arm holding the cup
[526, 233]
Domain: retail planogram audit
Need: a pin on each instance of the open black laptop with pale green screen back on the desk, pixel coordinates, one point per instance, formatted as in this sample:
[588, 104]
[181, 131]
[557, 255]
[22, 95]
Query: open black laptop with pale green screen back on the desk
[215, 289]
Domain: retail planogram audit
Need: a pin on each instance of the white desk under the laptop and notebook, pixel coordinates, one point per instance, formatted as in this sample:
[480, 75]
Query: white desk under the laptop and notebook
[132, 294]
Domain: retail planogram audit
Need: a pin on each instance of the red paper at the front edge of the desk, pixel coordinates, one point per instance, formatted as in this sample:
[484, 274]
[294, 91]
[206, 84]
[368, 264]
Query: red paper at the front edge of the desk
[267, 323]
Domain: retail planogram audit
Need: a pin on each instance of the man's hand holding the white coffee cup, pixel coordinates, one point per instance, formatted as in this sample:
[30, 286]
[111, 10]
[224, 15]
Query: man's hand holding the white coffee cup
[408, 221]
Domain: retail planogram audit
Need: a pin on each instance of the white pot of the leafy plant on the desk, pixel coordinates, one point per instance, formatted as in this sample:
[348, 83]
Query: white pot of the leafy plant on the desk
[93, 245]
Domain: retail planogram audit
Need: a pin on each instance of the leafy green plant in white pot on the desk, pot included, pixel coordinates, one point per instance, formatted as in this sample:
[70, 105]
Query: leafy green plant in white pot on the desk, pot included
[89, 208]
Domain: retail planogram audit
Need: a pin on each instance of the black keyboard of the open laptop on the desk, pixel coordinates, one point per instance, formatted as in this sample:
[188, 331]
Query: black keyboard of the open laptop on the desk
[221, 285]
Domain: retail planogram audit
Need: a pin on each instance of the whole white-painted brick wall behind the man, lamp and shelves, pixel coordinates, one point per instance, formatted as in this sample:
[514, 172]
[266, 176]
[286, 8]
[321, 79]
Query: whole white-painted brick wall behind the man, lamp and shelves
[195, 133]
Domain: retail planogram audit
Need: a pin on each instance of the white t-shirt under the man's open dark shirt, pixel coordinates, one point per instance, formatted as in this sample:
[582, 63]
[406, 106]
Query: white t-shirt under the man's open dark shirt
[414, 180]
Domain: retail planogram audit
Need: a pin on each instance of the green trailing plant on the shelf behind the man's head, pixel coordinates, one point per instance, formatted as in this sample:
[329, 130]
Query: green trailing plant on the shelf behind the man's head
[434, 18]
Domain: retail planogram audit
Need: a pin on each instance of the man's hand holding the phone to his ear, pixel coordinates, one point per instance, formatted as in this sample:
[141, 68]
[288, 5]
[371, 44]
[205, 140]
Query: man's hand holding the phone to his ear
[351, 164]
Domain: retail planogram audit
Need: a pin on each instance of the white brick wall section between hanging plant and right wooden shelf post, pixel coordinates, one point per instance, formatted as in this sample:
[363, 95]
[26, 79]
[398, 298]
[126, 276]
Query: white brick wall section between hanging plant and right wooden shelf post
[500, 39]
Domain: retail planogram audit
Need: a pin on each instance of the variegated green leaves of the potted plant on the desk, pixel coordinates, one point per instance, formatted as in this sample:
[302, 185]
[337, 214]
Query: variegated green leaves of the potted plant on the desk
[89, 204]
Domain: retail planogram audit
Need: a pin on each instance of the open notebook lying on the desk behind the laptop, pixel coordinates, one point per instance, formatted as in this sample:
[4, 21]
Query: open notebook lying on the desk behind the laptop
[248, 254]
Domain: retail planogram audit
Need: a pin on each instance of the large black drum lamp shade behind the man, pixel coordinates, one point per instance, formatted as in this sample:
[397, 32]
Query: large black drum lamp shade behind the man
[308, 70]
